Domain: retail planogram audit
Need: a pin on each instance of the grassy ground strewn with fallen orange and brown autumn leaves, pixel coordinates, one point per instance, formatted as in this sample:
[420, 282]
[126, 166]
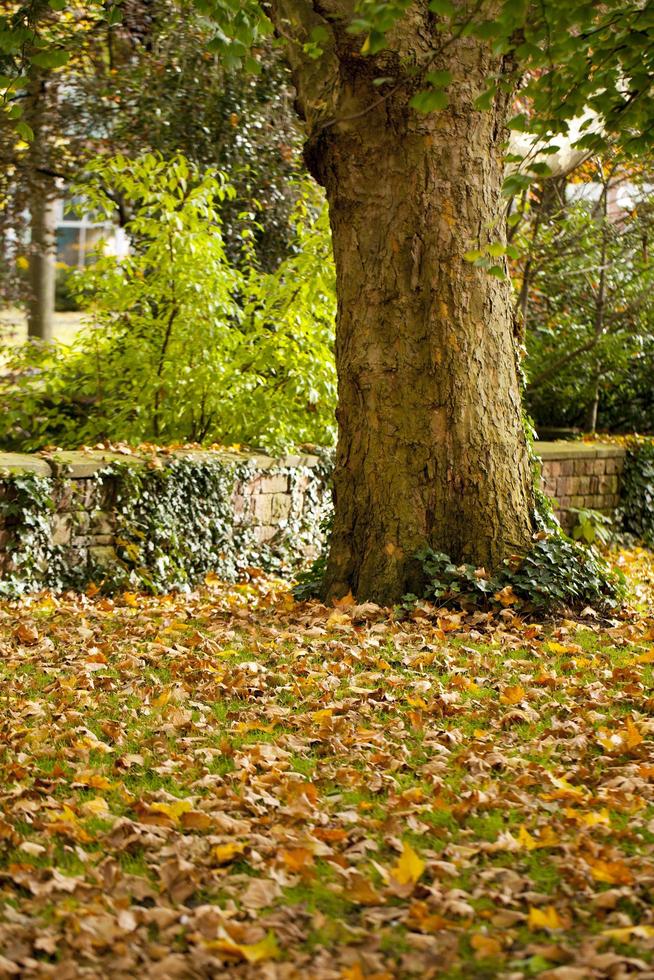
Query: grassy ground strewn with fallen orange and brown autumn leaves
[232, 784]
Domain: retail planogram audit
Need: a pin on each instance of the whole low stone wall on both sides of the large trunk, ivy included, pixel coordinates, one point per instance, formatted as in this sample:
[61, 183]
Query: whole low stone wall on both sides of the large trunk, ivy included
[268, 515]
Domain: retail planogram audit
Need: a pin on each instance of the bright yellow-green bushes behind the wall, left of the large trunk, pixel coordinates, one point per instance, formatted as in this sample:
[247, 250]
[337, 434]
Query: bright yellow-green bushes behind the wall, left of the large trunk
[182, 345]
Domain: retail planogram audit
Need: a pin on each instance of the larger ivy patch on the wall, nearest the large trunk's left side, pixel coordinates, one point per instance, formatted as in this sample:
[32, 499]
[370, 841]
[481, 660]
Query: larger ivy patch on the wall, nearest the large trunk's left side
[175, 523]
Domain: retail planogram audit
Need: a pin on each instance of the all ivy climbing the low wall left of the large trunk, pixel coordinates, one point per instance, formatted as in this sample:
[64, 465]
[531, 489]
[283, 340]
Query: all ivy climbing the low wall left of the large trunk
[172, 524]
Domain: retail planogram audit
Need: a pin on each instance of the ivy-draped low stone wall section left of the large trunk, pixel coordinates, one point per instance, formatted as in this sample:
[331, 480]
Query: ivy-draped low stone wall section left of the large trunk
[70, 515]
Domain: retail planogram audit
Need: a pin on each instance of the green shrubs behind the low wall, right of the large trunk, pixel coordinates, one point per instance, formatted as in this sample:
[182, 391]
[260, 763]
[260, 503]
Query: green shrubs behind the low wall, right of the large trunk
[586, 302]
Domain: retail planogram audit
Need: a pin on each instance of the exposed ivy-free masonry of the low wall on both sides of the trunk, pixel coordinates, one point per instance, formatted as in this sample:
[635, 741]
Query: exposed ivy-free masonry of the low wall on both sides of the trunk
[270, 501]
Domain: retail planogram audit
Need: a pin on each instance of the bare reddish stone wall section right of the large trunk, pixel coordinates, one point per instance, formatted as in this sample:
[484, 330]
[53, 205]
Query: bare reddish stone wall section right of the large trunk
[581, 475]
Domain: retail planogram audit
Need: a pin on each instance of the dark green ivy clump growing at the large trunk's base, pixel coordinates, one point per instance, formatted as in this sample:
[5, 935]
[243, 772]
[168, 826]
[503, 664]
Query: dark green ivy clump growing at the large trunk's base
[556, 573]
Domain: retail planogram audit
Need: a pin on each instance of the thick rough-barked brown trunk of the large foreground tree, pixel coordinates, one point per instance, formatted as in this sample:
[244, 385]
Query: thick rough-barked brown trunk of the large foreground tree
[431, 447]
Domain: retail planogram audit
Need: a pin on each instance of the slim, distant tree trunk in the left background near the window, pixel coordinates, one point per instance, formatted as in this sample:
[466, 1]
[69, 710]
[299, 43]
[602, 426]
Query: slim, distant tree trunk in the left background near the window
[40, 316]
